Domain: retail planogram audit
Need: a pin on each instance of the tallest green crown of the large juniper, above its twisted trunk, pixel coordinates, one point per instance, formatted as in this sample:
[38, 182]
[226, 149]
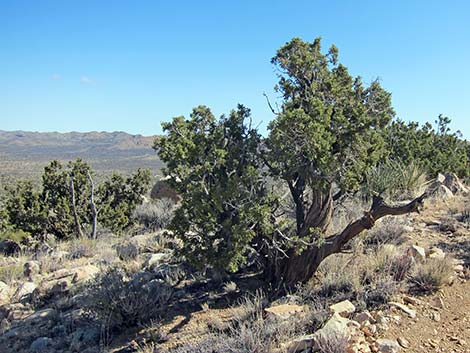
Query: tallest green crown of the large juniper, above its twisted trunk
[328, 128]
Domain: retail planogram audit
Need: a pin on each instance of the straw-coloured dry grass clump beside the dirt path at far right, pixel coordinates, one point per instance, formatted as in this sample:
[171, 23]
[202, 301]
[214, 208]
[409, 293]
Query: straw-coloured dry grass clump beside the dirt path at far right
[431, 275]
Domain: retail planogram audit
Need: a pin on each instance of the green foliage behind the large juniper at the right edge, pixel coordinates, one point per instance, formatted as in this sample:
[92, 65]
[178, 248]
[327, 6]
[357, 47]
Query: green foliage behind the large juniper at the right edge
[436, 149]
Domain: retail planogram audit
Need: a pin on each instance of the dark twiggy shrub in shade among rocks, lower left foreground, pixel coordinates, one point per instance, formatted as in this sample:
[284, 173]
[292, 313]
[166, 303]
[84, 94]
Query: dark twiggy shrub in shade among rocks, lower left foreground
[120, 298]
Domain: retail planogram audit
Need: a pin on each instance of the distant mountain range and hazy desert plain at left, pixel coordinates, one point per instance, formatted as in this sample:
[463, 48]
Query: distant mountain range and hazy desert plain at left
[23, 154]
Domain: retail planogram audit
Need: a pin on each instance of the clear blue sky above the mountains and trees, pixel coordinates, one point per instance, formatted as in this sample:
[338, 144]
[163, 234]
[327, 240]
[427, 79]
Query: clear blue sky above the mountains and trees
[129, 65]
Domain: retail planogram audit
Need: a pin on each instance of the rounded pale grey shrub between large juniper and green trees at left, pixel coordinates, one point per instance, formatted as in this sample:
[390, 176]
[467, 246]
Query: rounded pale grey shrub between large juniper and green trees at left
[155, 215]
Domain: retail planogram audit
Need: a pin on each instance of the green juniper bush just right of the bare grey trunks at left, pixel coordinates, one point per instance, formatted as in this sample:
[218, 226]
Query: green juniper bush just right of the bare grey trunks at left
[119, 197]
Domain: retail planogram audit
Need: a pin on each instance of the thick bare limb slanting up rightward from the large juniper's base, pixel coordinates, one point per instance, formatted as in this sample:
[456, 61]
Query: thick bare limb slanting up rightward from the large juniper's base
[299, 268]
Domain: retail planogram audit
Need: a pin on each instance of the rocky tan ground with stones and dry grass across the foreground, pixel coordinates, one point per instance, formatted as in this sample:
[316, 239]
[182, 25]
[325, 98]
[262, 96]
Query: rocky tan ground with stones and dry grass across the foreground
[49, 298]
